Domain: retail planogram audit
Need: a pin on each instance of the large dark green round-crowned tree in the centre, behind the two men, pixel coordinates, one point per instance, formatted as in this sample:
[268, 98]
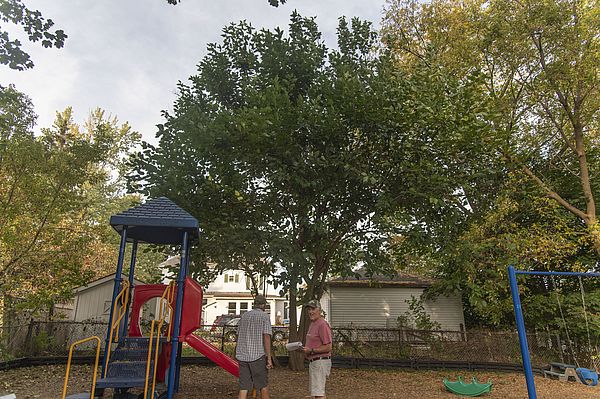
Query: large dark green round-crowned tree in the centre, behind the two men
[306, 158]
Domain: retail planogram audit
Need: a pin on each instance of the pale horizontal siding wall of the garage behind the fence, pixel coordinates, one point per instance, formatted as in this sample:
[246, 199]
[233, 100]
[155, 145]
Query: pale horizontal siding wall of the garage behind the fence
[380, 307]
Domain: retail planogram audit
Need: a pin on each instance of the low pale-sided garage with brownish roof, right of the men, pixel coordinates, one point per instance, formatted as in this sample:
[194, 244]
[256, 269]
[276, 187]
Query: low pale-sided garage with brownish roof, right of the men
[377, 302]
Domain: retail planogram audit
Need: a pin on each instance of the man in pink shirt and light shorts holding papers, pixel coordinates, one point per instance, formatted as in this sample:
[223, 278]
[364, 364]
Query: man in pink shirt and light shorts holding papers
[317, 350]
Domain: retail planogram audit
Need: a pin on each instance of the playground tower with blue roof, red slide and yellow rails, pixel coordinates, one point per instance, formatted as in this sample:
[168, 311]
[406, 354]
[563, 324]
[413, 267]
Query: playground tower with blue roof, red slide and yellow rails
[130, 359]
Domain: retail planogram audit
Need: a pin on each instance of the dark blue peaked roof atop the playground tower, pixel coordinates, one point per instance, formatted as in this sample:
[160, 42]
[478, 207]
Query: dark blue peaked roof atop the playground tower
[158, 221]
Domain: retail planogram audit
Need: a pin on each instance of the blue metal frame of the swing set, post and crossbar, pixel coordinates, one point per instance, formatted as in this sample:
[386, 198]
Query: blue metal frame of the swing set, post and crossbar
[514, 289]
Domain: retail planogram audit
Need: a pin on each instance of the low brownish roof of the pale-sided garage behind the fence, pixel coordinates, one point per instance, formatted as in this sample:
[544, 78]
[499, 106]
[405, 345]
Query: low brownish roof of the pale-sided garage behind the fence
[378, 281]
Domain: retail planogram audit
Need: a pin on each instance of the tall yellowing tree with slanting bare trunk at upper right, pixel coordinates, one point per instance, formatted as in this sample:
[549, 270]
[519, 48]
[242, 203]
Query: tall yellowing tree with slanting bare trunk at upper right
[541, 61]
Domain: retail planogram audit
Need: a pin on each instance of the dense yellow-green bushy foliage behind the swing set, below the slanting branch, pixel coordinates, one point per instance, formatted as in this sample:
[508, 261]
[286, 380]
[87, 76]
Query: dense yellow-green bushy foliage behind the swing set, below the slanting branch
[524, 229]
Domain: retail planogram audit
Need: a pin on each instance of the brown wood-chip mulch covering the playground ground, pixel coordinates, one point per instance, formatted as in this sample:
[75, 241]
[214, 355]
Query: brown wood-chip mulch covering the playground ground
[201, 382]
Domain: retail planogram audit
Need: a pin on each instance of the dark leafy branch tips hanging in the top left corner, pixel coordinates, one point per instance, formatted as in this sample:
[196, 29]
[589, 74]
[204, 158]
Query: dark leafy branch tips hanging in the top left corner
[37, 28]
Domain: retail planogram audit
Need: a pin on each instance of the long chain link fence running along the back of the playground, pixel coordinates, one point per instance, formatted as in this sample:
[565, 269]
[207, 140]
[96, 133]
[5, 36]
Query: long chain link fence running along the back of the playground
[39, 339]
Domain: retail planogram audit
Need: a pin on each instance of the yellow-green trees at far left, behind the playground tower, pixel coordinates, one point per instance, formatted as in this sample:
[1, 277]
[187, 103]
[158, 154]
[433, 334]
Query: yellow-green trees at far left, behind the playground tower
[57, 191]
